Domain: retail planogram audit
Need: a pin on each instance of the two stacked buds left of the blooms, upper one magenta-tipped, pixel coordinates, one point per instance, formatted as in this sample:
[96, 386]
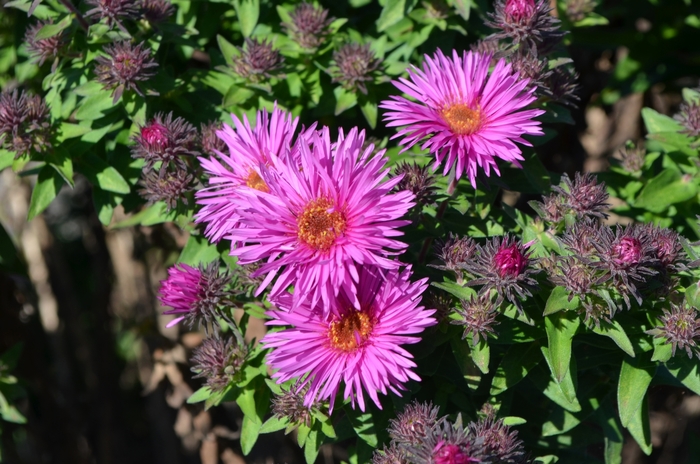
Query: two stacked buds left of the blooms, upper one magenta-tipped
[166, 145]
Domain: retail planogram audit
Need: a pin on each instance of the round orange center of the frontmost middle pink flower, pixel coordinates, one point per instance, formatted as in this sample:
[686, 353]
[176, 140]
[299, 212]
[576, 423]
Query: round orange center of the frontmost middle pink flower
[319, 225]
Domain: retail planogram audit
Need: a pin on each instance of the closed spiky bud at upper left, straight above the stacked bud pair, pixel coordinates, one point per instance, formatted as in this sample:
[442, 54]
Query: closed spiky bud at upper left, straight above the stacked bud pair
[123, 67]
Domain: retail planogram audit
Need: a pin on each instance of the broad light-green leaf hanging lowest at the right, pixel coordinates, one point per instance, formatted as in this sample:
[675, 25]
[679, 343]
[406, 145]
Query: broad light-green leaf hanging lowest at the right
[635, 377]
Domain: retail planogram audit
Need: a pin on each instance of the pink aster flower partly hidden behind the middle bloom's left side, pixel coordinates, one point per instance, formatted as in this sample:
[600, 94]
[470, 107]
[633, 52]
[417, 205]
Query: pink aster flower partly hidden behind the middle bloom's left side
[248, 149]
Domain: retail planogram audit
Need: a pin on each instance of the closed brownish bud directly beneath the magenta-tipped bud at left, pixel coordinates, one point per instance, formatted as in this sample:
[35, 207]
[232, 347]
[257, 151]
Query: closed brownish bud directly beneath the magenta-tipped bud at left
[167, 185]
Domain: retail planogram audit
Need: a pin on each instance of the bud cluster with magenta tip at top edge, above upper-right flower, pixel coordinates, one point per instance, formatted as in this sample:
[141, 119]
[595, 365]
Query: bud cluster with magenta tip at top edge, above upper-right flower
[526, 32]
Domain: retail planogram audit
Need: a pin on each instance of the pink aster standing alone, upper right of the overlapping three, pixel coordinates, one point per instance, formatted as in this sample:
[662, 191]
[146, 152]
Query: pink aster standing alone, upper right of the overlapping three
[464, 115]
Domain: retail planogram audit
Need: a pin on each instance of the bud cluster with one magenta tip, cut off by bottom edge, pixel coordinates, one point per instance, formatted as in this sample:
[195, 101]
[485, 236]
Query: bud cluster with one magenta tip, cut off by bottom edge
[419, 436]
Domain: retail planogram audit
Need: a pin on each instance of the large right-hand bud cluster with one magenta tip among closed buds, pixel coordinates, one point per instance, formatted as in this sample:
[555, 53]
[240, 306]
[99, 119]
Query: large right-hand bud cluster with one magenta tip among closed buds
[607, 268]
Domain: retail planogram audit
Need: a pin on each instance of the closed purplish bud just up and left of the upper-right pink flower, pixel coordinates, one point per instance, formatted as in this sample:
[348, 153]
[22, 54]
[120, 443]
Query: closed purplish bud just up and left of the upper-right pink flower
[354, 65]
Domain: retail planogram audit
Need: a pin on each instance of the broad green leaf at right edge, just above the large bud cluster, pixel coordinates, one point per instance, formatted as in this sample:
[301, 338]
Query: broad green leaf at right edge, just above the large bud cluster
[667, 188]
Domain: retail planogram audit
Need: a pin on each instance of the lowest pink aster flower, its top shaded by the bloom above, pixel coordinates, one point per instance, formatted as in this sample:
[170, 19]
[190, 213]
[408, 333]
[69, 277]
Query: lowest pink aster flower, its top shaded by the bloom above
[361, 348]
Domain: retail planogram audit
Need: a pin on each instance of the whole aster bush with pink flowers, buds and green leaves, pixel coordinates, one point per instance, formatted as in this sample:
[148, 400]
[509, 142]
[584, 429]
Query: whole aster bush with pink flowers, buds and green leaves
[366, 183]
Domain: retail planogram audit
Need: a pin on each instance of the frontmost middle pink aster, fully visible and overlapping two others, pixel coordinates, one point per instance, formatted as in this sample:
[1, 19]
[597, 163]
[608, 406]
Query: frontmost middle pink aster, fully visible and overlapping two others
[323, 219]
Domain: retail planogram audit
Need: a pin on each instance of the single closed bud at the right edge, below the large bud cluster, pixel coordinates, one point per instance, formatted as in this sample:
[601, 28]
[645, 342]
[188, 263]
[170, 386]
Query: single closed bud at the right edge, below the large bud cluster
[681, 328]
